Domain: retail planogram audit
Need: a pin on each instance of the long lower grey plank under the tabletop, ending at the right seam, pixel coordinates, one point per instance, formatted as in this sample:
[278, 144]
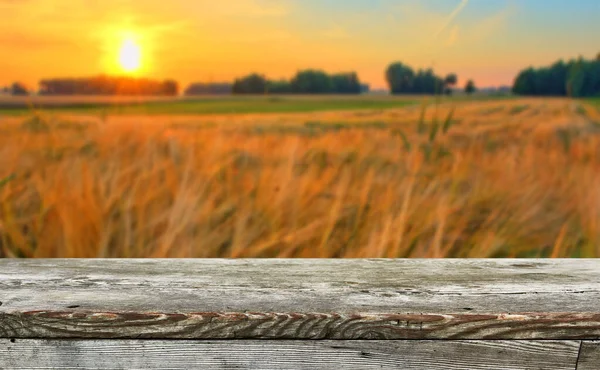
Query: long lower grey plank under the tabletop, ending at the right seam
[252, 354]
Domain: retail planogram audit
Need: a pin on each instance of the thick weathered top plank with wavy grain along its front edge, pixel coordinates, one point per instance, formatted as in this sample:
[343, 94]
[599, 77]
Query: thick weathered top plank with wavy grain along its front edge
[300, 299]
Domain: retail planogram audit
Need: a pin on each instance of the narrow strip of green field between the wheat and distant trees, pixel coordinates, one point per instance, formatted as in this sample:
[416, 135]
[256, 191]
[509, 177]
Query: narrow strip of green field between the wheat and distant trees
[215, 104]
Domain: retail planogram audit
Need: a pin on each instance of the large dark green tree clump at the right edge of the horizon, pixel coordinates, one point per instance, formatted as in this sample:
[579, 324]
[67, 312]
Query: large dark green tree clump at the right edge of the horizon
[575, 78]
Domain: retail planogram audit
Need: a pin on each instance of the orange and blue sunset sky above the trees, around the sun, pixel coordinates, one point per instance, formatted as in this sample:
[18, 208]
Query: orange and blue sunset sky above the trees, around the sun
[217, 40]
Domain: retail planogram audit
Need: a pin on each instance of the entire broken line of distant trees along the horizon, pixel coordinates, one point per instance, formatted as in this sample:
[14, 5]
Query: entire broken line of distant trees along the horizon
[576, 78]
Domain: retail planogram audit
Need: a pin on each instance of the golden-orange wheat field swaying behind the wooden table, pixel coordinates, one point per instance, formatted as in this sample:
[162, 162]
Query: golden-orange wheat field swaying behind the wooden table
[518, 178]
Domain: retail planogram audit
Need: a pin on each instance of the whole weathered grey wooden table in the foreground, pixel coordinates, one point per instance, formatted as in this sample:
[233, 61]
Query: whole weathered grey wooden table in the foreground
[309, 314]
